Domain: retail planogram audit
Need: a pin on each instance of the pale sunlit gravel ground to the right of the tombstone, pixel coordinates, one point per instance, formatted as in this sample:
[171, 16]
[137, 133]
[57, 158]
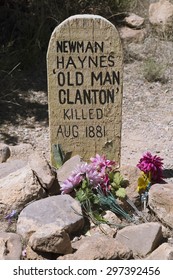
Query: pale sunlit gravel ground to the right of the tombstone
[148, 107]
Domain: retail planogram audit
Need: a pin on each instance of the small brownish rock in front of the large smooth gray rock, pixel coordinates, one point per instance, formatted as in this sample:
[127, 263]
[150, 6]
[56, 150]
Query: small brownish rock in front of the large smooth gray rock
[51, 239]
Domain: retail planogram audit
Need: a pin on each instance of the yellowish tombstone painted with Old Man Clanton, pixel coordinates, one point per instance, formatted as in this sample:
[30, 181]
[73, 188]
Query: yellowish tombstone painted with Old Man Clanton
[84, 65]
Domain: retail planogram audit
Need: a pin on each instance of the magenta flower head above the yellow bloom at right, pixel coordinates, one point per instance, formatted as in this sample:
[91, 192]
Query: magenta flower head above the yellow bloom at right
[151, 164]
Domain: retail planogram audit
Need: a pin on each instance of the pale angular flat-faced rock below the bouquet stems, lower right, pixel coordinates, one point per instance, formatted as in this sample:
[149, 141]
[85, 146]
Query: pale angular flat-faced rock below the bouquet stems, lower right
[141, 239]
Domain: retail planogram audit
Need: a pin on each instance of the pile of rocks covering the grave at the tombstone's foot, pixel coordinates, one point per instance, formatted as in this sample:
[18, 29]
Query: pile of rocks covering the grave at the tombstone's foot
[52, 226]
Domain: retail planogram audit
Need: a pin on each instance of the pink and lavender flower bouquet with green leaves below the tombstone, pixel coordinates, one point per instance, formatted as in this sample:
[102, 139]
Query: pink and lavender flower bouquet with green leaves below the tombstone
[97, 186]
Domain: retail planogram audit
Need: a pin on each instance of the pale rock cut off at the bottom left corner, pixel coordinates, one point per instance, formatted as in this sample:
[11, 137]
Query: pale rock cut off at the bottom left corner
[10, 246]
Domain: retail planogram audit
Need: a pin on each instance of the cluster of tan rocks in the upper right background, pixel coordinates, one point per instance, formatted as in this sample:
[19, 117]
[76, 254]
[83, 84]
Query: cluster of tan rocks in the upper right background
[160, 21]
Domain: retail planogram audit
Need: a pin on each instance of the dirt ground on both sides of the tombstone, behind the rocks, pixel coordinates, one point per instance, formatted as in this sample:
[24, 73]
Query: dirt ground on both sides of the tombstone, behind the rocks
[147, 113]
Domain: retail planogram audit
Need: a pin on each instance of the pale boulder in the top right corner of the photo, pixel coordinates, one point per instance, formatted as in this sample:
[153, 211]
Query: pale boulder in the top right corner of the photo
[161, 17]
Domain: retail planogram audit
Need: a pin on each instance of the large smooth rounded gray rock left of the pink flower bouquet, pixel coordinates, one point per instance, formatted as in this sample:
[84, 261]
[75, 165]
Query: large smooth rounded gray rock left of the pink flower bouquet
[62, 211]
